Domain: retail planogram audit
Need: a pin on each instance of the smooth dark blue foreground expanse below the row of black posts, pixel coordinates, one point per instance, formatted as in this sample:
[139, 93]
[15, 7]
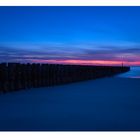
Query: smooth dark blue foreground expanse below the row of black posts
[102, 104]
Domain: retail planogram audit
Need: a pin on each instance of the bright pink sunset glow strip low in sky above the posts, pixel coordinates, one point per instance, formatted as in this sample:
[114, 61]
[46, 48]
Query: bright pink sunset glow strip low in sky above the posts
[88, 62]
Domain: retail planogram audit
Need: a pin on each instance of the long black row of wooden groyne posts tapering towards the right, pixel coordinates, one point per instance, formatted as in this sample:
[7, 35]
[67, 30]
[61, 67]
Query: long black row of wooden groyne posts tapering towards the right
[16, 76]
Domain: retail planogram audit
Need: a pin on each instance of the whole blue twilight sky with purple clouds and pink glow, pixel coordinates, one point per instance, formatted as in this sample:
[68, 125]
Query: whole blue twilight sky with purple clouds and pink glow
[70, 35]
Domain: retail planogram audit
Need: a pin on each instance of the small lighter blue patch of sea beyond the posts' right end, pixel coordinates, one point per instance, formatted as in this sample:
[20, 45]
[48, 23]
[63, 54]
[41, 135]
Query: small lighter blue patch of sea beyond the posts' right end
[133, 73]
